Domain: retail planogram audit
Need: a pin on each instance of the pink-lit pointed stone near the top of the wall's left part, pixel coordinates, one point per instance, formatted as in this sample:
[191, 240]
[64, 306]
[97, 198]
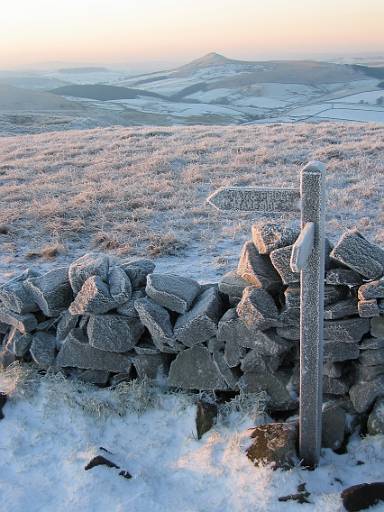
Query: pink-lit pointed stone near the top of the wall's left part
[93, 298]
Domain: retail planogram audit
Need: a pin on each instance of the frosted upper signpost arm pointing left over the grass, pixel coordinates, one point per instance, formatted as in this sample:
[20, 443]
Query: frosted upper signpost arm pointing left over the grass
[251, 199]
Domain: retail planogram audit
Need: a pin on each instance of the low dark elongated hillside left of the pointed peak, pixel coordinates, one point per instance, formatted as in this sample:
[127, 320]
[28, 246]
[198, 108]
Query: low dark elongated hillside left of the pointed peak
[102, 92]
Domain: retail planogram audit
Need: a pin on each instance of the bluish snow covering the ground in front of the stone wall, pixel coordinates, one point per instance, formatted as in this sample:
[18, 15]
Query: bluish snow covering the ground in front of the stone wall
[48, 436]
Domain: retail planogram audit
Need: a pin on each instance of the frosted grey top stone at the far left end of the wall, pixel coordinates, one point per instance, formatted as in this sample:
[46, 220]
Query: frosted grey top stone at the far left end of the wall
[16, 297]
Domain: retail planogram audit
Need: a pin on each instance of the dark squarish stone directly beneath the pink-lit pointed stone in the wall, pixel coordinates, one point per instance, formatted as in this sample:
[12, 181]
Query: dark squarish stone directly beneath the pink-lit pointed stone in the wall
[113, 333]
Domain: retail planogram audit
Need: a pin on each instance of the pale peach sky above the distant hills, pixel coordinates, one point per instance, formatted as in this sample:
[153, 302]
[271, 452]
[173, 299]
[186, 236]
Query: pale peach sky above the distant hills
[131, 31]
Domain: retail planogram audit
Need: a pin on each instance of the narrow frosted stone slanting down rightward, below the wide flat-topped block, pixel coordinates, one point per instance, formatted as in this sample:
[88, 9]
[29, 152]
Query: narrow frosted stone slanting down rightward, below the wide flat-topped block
[158, 322]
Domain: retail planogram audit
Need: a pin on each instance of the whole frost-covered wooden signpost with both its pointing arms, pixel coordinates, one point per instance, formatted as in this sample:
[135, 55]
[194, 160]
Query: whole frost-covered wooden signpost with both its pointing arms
[308, 258]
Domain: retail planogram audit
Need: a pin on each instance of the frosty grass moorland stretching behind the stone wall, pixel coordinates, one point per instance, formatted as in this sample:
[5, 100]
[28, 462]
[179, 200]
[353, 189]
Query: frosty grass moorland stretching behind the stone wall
[137, 191]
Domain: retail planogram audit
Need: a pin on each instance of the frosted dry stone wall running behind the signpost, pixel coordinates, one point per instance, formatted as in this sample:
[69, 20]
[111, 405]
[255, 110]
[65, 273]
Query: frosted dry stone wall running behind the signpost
[105, 320]
